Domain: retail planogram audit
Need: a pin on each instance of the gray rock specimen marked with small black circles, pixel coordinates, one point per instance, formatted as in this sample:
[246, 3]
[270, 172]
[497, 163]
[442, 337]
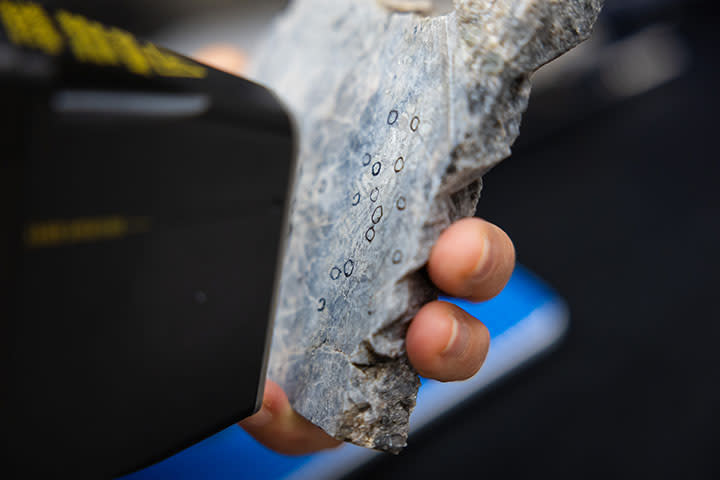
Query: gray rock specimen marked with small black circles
[400, 114]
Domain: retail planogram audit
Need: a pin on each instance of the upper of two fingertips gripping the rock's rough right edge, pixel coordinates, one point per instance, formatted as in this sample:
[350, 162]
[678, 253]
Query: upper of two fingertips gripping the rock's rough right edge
[473, 259]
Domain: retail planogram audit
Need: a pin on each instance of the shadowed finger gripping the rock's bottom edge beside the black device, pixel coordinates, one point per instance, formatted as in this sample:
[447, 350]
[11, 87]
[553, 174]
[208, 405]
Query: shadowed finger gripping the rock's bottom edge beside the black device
[280, 428]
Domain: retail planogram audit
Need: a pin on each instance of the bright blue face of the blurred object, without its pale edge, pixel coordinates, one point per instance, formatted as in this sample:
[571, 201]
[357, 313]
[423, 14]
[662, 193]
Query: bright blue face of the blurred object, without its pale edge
[232, 454]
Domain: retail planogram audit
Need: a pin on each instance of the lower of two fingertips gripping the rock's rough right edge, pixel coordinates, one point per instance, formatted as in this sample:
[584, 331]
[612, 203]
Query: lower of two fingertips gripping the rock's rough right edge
[447, 344]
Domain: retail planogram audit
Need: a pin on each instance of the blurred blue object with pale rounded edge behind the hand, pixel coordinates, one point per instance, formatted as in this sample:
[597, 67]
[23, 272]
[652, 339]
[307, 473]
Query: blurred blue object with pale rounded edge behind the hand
[525, 320]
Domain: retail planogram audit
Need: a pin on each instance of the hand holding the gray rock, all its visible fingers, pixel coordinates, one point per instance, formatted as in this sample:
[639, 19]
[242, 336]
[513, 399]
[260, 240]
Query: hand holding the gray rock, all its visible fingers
[472, 259]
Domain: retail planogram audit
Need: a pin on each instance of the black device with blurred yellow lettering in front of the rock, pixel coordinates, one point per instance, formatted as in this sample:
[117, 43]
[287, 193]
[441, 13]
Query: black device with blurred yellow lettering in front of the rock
[143, 198]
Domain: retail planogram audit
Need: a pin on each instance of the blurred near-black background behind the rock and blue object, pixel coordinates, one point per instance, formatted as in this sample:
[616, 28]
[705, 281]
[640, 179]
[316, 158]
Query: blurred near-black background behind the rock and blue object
[611, 196]
